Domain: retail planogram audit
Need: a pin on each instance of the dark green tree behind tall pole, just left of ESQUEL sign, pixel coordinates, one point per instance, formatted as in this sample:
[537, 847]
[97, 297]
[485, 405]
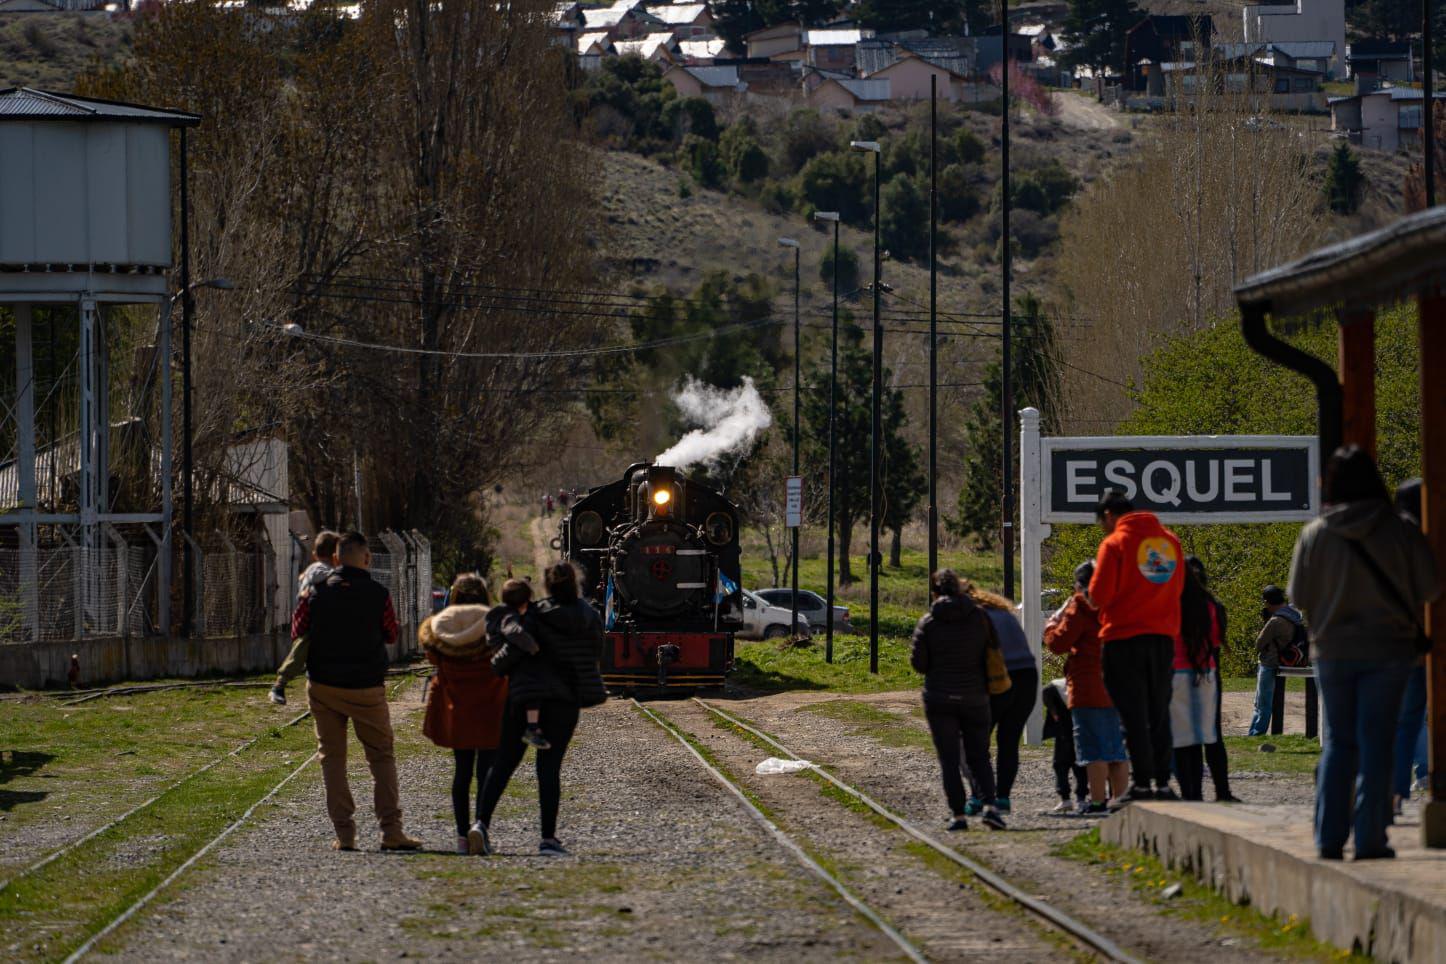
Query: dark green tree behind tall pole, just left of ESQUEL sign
[1036, 382]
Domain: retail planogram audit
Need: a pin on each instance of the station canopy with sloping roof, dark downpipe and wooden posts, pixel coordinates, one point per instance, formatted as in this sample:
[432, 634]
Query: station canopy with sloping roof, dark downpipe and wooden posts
[1351, 281]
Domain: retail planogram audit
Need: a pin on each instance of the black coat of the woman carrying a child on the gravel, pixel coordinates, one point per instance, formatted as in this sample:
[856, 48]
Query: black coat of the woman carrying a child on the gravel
[566, 666]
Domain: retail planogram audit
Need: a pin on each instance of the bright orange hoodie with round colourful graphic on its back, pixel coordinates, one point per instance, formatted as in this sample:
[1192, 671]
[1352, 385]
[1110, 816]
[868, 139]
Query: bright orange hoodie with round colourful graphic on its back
[1139, 579]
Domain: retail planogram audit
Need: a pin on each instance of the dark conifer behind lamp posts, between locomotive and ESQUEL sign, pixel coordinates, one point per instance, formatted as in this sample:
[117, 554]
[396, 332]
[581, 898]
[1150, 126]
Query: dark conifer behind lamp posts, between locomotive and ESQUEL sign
[852, 434]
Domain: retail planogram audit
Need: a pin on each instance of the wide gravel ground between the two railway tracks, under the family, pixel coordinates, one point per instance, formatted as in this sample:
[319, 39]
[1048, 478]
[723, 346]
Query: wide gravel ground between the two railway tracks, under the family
[666, 866]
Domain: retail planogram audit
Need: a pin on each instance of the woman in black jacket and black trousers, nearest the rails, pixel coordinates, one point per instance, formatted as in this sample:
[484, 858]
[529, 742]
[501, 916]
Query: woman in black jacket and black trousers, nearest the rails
[951, 648]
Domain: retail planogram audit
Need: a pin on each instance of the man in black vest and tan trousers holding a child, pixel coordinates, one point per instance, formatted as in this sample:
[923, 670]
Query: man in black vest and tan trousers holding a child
[351, 622]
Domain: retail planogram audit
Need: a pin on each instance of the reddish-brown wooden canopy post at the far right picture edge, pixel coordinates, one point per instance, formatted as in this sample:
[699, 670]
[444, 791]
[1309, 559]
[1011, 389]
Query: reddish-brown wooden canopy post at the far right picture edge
[1434, 520]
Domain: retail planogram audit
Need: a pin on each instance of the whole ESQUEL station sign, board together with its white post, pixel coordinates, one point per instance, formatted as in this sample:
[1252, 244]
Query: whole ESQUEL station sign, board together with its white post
[1182, 479]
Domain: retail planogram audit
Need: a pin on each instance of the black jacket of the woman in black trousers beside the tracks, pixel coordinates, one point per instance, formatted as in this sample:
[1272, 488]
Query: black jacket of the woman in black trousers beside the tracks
[949, 648]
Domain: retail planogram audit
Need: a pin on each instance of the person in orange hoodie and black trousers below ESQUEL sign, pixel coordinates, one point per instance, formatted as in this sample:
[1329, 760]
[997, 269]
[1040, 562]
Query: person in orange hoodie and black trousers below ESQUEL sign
[1137, 585]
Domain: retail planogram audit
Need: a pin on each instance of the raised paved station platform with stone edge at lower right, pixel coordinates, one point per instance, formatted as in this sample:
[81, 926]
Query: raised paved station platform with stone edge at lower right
[1393, 910]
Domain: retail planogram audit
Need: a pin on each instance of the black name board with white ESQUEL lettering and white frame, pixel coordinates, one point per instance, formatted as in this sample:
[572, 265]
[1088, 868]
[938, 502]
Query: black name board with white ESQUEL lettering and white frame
[1256, 479]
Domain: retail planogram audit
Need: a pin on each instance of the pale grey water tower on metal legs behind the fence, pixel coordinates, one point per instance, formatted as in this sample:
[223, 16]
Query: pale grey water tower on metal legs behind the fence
[85, 229]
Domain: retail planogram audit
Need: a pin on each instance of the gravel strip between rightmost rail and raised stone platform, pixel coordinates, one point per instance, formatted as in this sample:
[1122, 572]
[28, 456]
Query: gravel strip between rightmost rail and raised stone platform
[907, 780]
